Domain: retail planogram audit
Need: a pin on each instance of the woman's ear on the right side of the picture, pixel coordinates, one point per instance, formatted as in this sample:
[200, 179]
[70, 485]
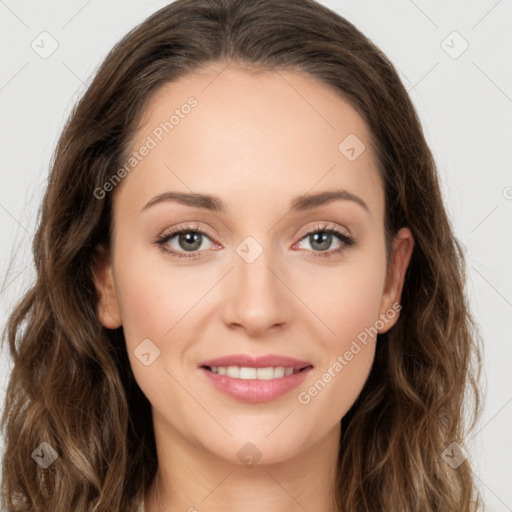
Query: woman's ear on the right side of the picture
[403, 245]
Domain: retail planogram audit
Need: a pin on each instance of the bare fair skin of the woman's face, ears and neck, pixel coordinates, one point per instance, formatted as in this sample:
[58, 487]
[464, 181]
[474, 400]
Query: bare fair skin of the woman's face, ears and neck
[255, 140]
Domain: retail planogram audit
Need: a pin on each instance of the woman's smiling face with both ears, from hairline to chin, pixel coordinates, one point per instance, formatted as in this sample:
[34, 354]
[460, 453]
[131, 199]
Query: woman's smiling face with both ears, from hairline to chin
[292, 263]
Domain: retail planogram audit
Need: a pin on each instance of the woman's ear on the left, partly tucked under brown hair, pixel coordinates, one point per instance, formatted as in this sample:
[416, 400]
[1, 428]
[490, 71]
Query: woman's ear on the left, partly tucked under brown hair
[107, 307]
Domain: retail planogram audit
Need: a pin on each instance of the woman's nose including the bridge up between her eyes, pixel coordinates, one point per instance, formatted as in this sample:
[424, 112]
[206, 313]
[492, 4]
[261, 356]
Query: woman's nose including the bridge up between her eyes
[256, 298]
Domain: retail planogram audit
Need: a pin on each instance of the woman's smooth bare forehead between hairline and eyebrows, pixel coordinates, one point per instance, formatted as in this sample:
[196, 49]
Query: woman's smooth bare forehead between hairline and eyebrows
[238, 134]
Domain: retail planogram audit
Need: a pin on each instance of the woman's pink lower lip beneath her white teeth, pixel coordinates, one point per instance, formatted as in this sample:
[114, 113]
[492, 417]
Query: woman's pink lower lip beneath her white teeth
[255, 390]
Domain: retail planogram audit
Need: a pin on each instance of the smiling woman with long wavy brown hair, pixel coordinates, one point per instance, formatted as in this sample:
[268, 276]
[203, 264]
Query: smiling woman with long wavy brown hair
[309, 350]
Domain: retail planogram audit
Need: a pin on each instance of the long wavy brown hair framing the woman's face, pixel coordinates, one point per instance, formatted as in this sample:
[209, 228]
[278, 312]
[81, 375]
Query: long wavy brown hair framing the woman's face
[71, 384]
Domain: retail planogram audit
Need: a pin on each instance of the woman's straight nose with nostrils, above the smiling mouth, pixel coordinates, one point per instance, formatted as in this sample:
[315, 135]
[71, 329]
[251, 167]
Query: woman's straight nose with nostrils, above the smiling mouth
[257, 298]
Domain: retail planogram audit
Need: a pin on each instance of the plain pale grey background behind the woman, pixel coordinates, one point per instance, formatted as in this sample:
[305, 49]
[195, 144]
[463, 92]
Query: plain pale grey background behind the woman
[463, 96]
